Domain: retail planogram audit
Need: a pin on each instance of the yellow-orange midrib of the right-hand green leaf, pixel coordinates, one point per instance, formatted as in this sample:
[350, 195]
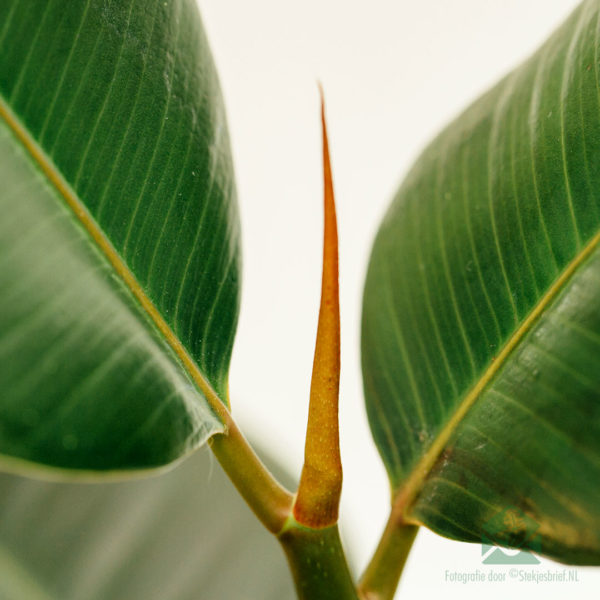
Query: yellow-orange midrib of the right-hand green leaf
[407, 493]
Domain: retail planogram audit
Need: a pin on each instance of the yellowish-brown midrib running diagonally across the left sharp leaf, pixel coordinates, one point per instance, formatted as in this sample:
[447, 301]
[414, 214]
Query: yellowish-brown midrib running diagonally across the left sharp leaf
[40, 158]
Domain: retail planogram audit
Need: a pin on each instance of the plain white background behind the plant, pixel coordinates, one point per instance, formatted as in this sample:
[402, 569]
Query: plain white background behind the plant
[394, 72]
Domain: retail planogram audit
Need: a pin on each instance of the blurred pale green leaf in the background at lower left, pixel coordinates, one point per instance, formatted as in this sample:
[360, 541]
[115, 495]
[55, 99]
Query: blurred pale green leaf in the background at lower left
[137, 539]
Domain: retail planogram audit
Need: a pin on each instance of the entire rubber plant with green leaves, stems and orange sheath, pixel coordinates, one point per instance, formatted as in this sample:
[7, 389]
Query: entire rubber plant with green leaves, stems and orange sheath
[120, 283]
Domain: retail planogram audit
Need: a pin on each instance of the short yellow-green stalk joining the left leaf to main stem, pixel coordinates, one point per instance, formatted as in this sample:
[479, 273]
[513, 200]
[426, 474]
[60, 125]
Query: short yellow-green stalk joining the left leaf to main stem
[269, 500]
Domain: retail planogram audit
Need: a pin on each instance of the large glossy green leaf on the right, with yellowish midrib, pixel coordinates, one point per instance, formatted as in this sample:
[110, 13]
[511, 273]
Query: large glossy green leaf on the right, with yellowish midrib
[481, 323]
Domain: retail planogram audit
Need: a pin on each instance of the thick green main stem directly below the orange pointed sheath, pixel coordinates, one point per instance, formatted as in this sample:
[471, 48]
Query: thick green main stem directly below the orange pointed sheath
[317, 562]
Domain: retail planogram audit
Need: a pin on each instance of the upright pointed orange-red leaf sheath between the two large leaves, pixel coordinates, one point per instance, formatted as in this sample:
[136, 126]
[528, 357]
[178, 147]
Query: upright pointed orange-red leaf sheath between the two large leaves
[320, 486]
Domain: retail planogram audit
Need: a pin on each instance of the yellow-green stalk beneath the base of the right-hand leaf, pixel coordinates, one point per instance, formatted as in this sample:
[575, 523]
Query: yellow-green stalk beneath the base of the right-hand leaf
[380, 580]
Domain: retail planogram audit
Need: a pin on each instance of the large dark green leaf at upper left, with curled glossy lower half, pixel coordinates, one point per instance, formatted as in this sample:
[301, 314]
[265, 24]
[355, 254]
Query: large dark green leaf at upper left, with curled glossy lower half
[119, 240]
